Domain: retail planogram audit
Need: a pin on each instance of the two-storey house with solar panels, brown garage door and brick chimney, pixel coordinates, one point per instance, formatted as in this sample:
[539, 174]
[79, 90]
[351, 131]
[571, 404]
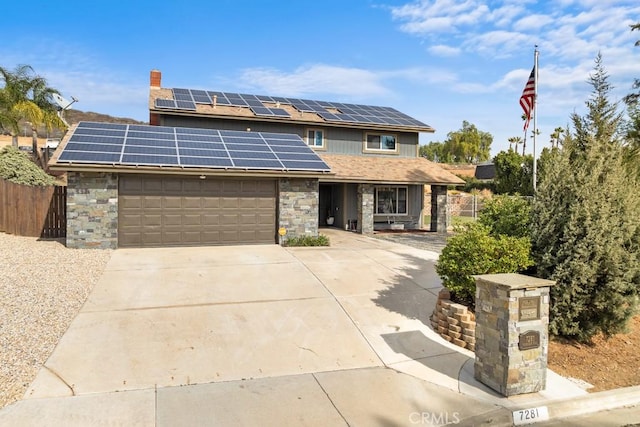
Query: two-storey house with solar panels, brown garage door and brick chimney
[228, 168]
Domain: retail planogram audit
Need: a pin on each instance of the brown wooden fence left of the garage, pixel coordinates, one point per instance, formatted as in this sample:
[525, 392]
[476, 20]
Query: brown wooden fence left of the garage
[33, 210]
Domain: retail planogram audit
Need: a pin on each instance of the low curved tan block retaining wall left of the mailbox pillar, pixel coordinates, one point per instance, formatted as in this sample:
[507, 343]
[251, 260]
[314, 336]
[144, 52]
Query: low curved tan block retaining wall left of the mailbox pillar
[454, 322]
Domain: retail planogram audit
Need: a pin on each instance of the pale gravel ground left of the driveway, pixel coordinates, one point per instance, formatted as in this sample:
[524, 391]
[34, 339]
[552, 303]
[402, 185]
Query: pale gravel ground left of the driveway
[42, 287]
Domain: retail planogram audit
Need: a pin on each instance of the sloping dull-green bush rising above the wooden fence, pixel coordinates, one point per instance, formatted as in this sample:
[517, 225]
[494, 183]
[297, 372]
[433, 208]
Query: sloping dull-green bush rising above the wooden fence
[15, 166]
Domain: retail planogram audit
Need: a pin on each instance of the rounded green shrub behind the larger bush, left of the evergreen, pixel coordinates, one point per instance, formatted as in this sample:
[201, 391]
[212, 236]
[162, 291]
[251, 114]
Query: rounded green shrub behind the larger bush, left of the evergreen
[507, 215]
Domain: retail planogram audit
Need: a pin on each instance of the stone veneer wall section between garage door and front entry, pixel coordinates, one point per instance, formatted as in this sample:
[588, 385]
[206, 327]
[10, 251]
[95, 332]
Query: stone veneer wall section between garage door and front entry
[298, 206]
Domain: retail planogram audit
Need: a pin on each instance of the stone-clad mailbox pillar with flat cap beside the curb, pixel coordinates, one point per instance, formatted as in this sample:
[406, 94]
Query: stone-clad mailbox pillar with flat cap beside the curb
[512, 334]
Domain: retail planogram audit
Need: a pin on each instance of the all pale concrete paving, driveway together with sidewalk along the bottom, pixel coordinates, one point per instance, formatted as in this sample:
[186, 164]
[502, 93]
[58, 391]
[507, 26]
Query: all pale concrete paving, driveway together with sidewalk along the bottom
[265, 335]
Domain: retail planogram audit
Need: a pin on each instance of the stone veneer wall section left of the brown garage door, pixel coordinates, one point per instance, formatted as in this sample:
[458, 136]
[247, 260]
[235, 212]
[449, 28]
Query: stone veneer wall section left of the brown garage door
[92, 210]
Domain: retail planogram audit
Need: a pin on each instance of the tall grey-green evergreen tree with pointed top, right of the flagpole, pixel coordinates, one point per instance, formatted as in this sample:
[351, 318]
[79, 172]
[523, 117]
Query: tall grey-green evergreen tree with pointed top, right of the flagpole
[586, 224]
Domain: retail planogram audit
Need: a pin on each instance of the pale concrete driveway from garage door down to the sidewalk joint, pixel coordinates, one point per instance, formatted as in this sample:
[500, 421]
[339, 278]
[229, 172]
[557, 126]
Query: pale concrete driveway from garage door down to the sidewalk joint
[179, 316]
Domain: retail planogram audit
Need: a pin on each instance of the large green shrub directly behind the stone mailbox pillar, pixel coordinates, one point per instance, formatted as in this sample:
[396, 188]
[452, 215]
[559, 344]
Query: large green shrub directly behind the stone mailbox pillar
[473, 250]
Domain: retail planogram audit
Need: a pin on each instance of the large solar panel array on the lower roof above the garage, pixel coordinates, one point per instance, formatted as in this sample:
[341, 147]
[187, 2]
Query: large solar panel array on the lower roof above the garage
[142, 145]
